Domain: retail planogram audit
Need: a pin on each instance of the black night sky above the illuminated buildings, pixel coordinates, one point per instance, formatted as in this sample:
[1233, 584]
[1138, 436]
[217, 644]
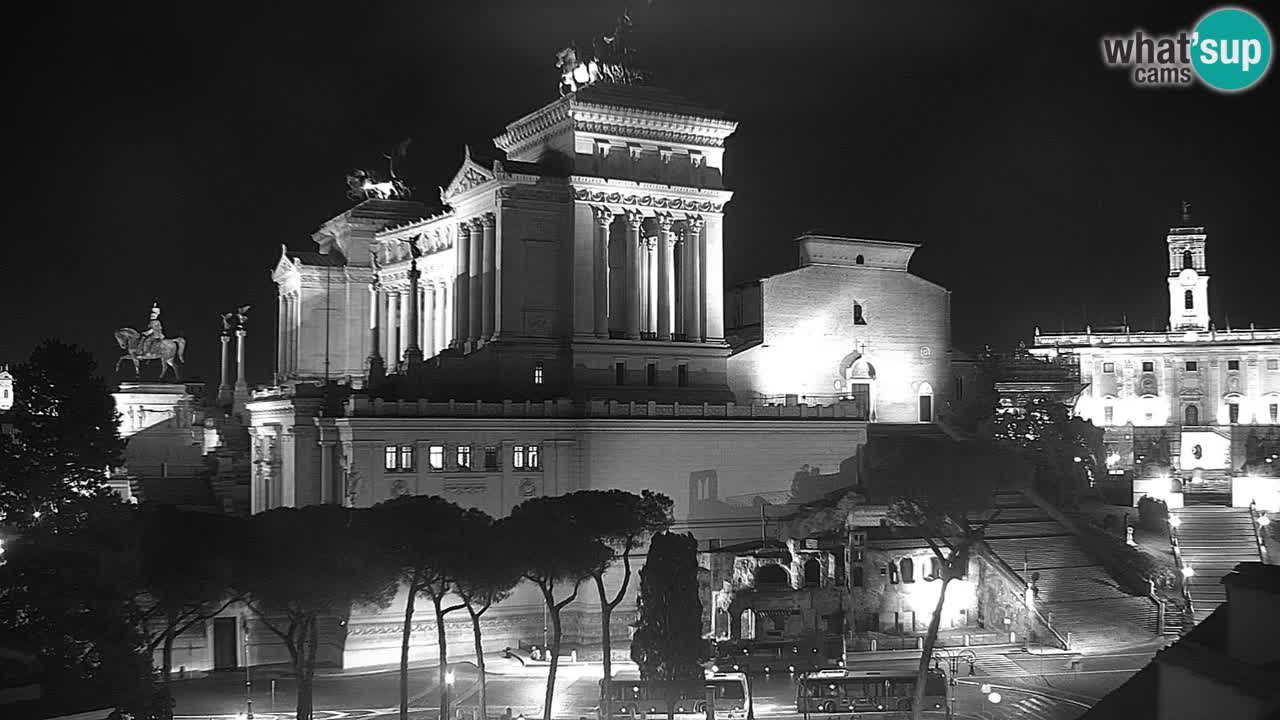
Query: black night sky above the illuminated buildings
[166, 152]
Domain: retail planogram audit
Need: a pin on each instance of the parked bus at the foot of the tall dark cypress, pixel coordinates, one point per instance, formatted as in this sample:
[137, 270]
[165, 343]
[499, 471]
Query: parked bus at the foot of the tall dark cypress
[650, 698]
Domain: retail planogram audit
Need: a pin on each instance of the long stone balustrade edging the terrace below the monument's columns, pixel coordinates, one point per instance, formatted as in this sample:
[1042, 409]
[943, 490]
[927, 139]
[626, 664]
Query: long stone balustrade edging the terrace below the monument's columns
[564, 408]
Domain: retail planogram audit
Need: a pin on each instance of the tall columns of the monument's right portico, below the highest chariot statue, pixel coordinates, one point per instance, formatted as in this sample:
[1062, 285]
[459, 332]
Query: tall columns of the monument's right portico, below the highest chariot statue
[666, 279]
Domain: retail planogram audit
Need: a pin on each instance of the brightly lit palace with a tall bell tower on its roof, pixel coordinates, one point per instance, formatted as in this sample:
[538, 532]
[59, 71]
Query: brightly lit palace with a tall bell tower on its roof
[1191, 413]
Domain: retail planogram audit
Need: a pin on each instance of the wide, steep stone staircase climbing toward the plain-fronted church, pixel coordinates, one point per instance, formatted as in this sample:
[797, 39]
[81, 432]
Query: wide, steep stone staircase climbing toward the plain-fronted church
[1076, 594]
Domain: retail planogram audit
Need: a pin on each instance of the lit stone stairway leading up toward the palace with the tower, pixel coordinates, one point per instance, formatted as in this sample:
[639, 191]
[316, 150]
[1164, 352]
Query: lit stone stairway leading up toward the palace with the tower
[1213, 541]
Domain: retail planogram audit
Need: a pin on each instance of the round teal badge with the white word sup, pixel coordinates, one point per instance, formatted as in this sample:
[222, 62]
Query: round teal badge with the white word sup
[1231, 49]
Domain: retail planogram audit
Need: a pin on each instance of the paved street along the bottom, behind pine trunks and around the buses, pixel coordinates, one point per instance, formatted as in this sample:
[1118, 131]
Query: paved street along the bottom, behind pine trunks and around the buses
[1055, 687]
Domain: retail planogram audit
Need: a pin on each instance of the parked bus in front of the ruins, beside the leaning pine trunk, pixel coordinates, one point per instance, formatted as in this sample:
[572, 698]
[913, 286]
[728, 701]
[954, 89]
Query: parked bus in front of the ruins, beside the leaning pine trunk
[867, 691]
